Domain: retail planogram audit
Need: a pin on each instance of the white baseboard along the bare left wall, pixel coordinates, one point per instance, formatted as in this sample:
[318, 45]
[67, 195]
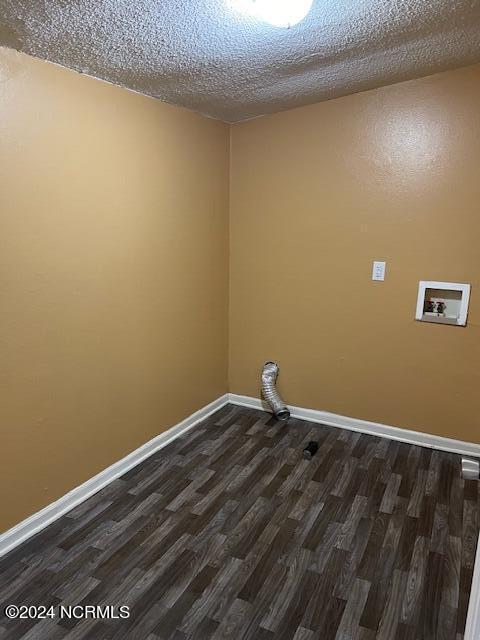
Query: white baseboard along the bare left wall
[38, 521]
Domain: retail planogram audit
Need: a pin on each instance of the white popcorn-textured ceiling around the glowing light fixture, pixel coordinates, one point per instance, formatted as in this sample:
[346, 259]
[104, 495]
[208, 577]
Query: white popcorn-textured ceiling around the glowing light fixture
[207, 56]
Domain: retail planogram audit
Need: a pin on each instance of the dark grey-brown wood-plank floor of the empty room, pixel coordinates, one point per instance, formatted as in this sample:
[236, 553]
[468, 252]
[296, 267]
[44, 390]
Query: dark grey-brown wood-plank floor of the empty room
[229, 533]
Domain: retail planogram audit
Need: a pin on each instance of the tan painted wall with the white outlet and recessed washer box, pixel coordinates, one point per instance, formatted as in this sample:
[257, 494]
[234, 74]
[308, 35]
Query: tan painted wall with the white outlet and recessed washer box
[317, 194]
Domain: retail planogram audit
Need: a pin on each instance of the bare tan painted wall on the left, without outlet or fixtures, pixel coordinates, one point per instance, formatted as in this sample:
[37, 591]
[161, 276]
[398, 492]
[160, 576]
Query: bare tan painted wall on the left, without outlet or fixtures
[113, 275]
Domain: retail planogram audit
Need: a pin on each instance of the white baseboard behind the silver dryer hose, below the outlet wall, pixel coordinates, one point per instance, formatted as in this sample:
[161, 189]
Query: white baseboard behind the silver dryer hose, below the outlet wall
[365, 426]
